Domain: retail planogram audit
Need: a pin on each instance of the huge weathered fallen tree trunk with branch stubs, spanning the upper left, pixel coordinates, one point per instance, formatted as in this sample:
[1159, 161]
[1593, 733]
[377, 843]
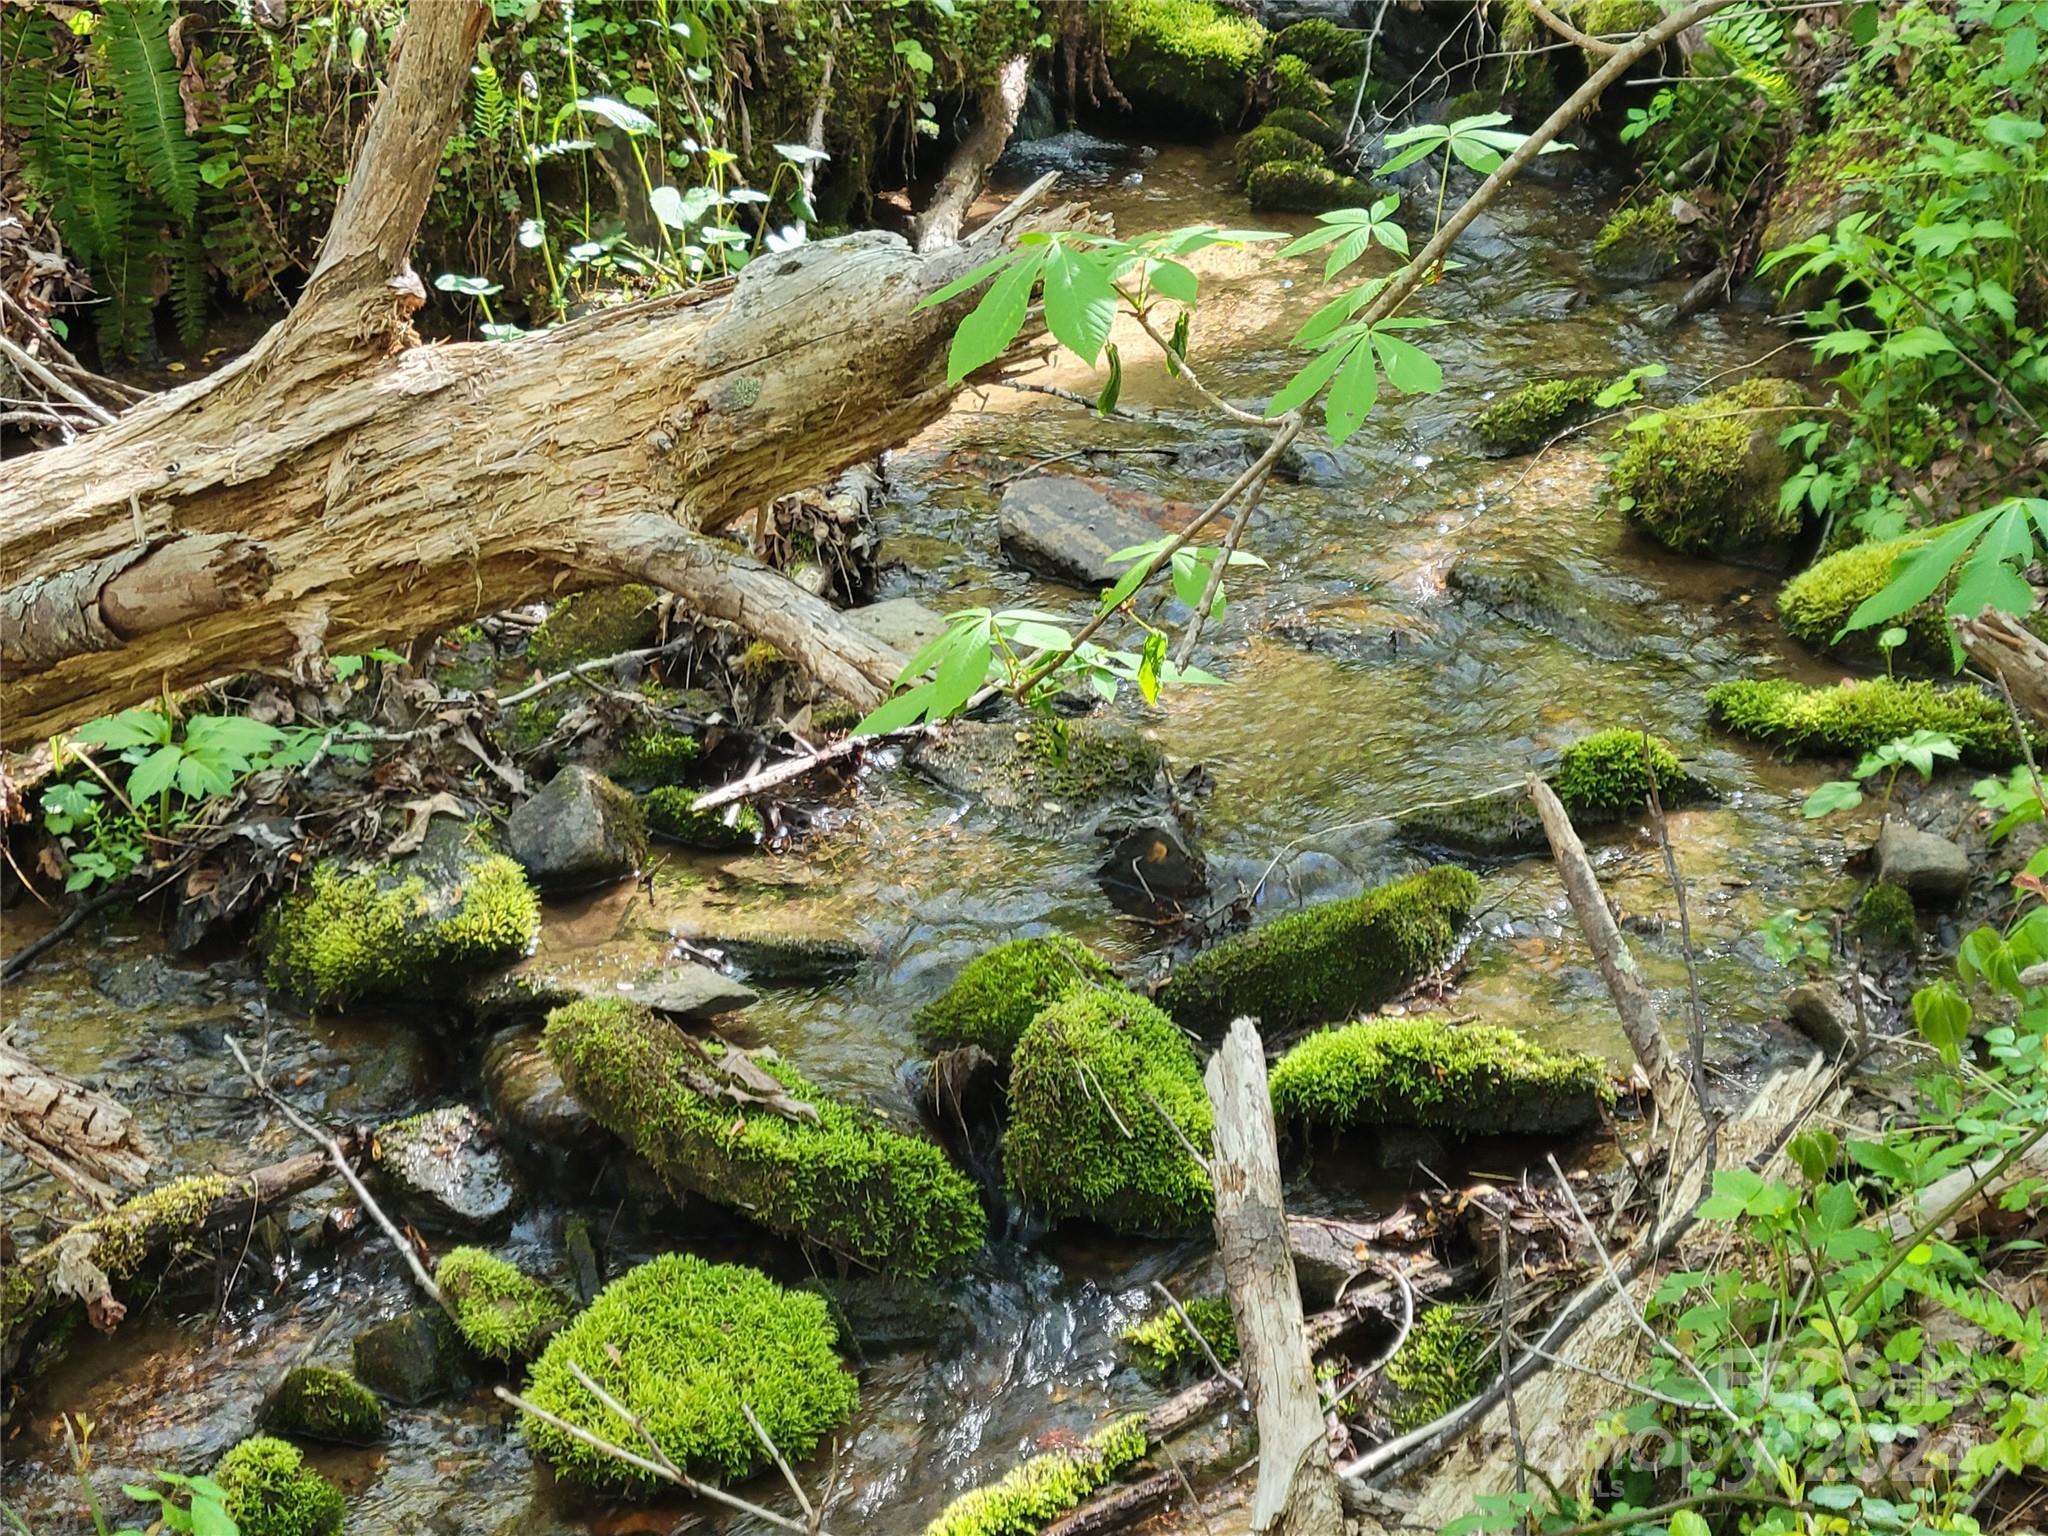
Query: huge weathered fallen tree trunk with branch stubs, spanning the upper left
[343, 486]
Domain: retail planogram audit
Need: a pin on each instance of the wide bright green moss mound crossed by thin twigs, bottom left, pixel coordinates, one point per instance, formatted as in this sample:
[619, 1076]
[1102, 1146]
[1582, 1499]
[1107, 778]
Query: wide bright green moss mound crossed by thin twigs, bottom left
[683, 1342]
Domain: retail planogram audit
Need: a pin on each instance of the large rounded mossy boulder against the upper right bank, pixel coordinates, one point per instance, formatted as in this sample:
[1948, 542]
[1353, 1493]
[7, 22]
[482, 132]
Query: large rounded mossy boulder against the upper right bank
[1705, 478]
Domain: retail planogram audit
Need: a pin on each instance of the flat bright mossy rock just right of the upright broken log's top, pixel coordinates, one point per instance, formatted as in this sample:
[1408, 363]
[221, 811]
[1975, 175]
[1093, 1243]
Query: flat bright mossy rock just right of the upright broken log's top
[1422, 1072]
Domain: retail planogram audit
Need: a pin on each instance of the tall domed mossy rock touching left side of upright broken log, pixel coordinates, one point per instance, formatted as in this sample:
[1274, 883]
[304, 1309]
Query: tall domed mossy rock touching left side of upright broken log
[1084, 1138]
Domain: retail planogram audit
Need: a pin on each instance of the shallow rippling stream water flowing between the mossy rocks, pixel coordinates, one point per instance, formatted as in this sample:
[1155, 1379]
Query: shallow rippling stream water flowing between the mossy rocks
[1408, 697]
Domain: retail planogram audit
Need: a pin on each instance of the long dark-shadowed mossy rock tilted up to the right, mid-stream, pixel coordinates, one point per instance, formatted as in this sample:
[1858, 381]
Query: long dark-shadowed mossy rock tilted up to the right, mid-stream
[1330, 962]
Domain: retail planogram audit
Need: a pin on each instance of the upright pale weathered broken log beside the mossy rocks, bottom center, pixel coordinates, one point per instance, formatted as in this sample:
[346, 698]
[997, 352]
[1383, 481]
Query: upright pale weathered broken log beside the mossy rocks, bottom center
[1297, 1490]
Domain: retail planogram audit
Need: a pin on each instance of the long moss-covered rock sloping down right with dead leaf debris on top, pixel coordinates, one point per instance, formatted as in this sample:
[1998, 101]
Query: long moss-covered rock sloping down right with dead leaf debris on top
[845, 1183]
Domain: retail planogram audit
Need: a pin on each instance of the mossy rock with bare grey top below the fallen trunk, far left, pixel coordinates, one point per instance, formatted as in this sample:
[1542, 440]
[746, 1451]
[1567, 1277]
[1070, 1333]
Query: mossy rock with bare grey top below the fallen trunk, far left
[411, 929]
